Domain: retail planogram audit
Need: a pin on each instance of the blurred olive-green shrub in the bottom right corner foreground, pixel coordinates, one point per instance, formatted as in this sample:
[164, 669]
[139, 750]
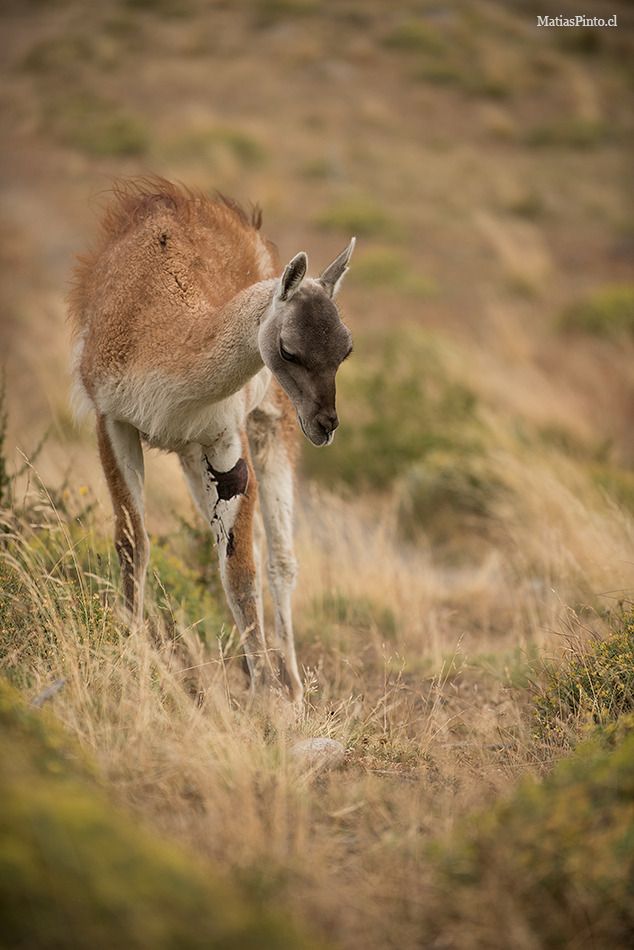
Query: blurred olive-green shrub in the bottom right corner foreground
[554, 863]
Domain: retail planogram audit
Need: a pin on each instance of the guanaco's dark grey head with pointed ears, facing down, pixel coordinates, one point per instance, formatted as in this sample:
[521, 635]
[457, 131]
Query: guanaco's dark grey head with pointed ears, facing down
[303, 342]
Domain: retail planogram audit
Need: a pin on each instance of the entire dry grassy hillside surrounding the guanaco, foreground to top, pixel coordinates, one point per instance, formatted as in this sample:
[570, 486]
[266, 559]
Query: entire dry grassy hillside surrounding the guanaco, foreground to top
[465, 546]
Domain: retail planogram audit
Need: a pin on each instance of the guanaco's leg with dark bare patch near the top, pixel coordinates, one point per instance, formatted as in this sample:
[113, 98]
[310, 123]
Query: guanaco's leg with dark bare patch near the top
[223, 485]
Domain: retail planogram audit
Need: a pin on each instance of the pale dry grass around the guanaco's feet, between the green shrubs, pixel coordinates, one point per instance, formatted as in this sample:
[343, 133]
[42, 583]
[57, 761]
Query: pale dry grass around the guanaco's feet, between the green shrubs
[431, 704]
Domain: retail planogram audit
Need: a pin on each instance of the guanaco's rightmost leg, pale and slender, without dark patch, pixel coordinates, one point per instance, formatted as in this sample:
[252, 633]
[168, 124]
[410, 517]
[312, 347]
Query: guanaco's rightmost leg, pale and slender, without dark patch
[272, 459]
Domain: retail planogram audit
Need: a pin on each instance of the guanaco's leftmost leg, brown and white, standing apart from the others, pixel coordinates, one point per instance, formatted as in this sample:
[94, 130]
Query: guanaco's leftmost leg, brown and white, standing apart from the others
[122, 461]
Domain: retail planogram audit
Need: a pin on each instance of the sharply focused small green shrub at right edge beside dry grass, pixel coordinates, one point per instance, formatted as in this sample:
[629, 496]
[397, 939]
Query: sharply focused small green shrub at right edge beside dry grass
[596, 684]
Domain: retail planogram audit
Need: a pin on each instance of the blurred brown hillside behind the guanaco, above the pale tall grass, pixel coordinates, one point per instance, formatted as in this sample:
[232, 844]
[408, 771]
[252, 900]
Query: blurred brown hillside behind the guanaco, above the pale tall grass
[482, 162]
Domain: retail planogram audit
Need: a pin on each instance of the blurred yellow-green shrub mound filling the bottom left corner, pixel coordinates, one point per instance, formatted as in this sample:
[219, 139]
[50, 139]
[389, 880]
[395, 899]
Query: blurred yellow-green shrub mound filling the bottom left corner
[75, 872]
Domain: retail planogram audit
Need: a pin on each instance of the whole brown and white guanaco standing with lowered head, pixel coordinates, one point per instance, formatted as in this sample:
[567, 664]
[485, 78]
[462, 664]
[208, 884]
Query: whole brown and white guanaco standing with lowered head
[187, 339]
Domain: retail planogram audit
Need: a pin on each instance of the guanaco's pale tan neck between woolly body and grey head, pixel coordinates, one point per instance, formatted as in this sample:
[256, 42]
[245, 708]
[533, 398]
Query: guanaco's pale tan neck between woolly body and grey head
[229, 351]
